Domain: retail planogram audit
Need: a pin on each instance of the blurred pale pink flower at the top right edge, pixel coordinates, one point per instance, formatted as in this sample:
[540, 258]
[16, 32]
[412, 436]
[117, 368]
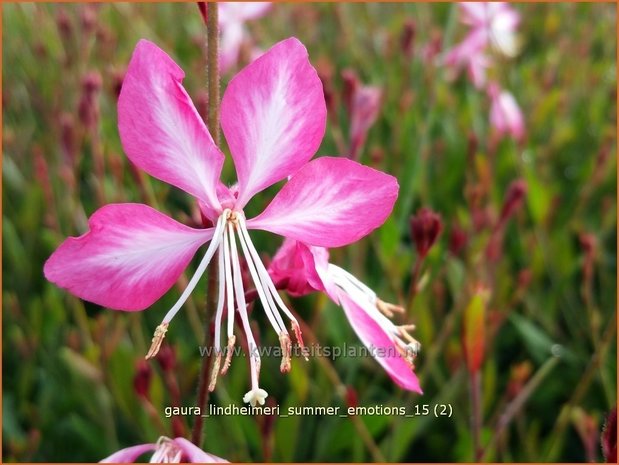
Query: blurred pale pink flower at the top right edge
[492, 27]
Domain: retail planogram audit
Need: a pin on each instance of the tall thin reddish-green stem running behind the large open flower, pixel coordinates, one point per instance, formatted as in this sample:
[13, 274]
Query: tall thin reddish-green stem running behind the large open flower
[212, 68]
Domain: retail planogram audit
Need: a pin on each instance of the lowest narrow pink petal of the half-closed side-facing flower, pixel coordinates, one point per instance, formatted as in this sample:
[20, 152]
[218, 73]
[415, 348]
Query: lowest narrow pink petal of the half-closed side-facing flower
[380, 343]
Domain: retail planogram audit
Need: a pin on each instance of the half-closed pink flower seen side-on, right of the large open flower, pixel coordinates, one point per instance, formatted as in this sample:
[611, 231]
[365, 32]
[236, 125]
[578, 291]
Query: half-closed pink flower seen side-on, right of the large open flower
[306, 269]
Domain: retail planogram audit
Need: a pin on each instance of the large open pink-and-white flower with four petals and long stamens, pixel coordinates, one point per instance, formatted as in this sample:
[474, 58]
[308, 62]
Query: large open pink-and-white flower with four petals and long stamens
[273, 116]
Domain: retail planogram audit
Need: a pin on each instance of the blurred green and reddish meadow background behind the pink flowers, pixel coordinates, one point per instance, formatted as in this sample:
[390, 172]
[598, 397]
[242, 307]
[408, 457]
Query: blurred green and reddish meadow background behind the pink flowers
[74, 384]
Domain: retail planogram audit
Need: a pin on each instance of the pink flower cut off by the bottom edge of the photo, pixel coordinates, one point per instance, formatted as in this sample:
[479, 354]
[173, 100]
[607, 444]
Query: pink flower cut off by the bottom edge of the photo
[165, 451]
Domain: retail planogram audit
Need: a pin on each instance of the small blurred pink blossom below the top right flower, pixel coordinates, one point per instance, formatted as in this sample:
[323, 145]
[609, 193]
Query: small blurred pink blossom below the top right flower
[505, 114]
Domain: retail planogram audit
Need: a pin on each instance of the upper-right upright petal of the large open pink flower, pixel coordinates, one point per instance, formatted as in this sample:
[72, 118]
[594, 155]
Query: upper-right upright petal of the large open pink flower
[273, 115]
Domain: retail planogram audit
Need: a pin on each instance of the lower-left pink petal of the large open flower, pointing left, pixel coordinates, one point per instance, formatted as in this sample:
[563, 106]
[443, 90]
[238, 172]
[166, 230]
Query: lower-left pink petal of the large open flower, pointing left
[130, 257]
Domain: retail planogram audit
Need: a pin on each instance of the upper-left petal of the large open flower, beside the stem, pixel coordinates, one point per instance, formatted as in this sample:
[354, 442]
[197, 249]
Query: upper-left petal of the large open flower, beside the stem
[160, 129]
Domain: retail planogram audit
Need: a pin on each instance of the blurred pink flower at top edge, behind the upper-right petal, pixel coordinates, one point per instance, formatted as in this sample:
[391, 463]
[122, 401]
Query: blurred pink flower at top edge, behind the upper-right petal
[231, 19]
